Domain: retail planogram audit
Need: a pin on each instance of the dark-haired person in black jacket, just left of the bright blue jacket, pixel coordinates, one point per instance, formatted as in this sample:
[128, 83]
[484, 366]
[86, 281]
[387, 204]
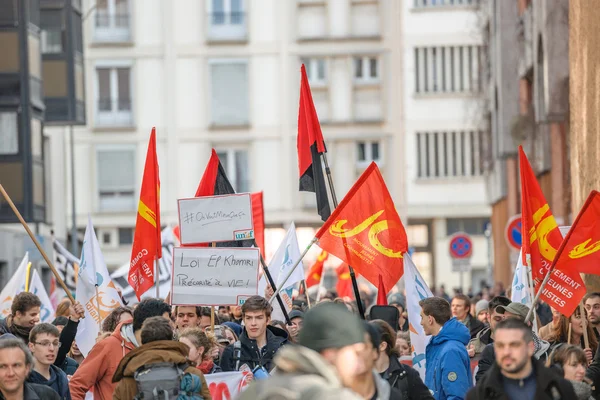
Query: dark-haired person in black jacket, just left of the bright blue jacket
[403, 378]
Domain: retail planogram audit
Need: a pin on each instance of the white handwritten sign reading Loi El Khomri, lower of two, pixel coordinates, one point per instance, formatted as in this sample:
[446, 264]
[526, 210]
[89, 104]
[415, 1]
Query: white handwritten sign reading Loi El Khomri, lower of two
[214, 276]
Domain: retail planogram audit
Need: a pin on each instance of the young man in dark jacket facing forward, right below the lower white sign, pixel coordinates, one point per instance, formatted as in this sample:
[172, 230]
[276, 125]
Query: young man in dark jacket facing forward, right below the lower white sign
[258, 342]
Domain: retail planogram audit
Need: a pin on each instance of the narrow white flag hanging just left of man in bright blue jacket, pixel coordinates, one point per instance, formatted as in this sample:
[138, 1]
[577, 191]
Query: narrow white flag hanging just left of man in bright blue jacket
[416, 290]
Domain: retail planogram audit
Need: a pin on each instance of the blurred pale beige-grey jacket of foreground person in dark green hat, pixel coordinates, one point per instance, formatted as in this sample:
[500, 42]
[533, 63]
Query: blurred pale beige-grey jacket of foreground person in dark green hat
[301, 374]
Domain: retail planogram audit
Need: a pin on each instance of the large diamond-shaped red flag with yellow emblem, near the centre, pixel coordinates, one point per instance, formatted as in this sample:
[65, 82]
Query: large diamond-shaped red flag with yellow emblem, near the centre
[365, 230]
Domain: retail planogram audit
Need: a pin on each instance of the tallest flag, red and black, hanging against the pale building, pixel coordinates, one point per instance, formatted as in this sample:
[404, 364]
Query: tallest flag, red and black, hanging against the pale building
[310, 145]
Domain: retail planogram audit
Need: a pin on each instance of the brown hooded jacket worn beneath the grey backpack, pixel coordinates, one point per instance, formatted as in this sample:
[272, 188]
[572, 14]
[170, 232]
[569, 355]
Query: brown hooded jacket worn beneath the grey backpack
[149, 353]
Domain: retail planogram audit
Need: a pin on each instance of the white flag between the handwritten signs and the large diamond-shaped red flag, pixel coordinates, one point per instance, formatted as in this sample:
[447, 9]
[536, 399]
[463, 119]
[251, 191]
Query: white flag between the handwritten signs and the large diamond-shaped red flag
[284, 259]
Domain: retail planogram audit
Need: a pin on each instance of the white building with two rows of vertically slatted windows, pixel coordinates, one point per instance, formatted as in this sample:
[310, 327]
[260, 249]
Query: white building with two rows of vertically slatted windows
[444, 126]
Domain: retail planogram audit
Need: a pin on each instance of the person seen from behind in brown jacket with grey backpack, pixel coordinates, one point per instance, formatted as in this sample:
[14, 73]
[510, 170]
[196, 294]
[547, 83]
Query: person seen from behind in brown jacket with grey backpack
[158, 369]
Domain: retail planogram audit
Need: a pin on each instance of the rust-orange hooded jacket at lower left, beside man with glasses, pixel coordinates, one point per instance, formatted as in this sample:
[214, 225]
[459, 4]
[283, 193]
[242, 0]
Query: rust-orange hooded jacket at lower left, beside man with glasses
[99, 366]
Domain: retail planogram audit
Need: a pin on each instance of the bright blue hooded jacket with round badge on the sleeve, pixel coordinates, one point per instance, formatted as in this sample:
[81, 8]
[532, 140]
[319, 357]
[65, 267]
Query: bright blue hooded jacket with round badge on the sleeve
[448, 373]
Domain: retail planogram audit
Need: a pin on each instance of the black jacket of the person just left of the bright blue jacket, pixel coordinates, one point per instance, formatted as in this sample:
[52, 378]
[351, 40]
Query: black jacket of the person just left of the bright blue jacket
[406, 381]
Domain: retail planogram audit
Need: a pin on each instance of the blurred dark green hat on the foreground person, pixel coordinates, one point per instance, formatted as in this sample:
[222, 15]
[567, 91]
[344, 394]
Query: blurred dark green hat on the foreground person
[330, 326]
